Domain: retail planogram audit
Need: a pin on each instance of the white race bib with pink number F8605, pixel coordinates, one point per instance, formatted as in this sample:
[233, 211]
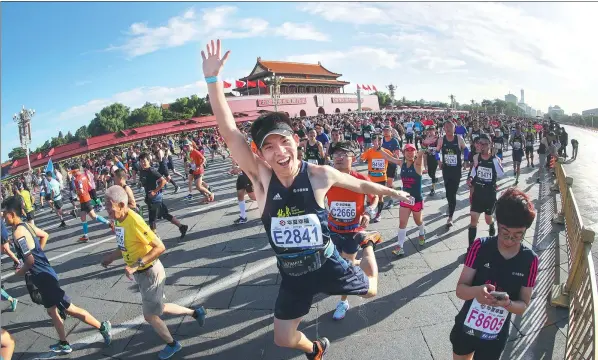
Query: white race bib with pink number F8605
[484, 321]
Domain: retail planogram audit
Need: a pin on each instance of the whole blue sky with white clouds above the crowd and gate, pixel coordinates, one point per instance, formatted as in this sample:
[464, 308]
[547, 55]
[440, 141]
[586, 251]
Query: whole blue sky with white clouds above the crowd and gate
[68, 60]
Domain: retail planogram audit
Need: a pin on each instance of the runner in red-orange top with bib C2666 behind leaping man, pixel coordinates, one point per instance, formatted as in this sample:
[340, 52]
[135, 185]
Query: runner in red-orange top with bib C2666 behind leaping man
[348, 217]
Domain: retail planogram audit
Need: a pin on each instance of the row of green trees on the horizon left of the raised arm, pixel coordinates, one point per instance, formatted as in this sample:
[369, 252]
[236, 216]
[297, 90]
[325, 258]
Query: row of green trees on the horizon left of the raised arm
[116, 117]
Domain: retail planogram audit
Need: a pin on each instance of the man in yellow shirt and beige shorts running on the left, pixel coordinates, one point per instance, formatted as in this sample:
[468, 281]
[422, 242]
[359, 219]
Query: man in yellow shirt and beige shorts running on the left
[140, 247]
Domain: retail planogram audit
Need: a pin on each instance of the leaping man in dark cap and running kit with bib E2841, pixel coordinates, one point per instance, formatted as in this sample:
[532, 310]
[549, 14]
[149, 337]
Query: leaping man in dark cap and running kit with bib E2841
[291, 197]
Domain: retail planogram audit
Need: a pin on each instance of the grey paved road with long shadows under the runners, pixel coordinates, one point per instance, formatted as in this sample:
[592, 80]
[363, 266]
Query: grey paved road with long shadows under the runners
[232, 272]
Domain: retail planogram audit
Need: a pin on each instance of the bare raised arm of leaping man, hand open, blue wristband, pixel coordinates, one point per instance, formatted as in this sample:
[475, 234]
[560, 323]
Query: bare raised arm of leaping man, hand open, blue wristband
[240, 151]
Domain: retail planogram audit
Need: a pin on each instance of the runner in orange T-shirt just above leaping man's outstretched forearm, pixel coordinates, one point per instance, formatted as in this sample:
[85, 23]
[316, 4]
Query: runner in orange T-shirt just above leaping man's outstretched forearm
[378, 159]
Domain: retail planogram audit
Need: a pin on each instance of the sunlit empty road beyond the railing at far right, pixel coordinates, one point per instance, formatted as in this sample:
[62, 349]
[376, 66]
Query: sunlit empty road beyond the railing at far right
[585, 172]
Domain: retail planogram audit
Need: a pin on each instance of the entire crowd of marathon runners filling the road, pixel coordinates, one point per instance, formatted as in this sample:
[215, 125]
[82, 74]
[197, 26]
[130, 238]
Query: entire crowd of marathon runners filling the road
[314, 205]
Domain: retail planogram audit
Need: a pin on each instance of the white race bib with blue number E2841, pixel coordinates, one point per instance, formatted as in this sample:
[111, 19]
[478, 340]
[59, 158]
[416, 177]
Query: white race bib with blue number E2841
[302, 231]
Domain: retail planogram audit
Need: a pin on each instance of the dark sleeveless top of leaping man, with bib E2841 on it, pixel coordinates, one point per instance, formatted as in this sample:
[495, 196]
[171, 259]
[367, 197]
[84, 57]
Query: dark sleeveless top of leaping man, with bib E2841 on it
[292, 218]
